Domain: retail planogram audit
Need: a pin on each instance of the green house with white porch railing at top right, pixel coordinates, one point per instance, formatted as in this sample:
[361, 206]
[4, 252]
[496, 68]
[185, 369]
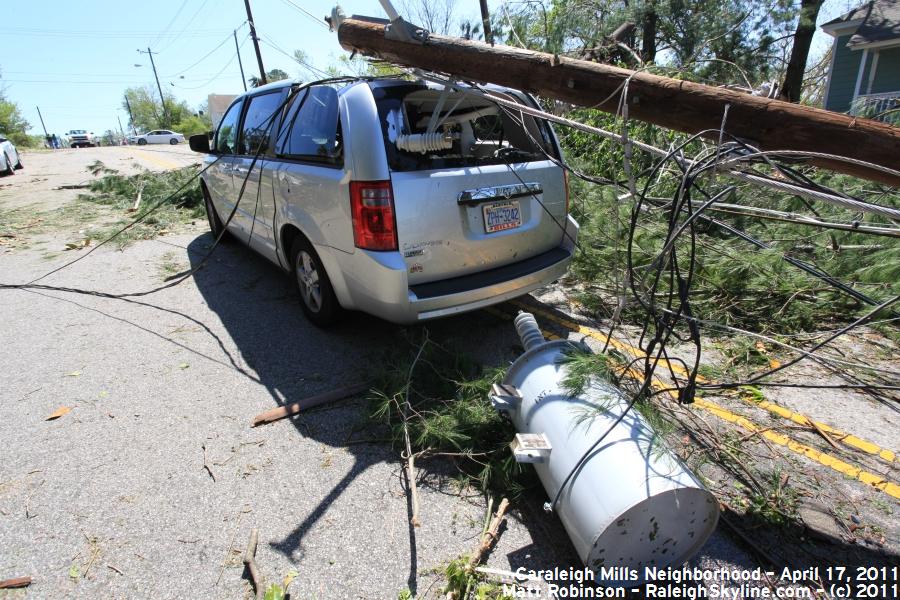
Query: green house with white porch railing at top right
[864, 77]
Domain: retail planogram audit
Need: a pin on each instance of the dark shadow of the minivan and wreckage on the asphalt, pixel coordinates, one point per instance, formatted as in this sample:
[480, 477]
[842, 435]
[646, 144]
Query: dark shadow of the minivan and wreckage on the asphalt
[293, 359]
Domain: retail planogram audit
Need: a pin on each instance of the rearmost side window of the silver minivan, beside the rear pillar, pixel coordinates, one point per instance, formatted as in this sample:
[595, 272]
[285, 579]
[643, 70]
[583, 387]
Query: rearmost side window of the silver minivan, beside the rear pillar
[311, 130]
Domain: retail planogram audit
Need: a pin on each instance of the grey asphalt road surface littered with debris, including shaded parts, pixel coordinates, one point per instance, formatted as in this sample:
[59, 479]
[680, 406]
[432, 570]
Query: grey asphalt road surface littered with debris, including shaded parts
[150, 485]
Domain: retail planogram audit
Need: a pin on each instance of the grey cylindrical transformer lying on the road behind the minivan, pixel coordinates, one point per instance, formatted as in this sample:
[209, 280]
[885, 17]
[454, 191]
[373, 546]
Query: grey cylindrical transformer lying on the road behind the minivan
[632, 503]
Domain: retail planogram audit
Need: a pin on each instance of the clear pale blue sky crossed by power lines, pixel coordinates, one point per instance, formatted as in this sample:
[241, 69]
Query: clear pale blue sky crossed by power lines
[75, 59]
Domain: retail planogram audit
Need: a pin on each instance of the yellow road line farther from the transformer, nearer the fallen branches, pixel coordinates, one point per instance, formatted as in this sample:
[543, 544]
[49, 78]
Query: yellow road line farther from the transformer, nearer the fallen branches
[849, 439]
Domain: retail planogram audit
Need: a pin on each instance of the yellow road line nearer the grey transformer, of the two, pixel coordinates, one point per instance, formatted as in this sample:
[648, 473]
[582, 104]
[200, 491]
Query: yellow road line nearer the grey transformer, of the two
[822, 458]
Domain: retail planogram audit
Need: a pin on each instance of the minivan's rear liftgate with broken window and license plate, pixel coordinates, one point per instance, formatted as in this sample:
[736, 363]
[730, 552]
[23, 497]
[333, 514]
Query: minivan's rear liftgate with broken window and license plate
[474, 188]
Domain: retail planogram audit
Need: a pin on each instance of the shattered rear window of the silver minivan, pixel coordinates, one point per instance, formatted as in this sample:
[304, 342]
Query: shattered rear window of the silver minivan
[425, 129]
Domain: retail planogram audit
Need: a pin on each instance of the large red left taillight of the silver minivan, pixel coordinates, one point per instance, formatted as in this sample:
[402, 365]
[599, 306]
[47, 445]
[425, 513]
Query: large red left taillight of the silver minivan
[372, 207]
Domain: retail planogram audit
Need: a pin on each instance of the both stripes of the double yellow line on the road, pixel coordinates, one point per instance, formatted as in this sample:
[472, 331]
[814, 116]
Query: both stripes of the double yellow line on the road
[822, 458]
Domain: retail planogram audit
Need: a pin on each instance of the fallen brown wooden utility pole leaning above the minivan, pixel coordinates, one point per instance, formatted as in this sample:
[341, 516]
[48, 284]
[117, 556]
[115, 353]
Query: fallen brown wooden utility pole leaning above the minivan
[674, 104]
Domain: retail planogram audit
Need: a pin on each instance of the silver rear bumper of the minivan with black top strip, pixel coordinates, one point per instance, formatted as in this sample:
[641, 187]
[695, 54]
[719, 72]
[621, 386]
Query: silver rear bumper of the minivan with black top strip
[375, 288]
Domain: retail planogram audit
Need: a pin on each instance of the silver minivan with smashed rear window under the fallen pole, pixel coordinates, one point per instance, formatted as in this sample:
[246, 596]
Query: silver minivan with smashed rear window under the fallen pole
[401, 199]
